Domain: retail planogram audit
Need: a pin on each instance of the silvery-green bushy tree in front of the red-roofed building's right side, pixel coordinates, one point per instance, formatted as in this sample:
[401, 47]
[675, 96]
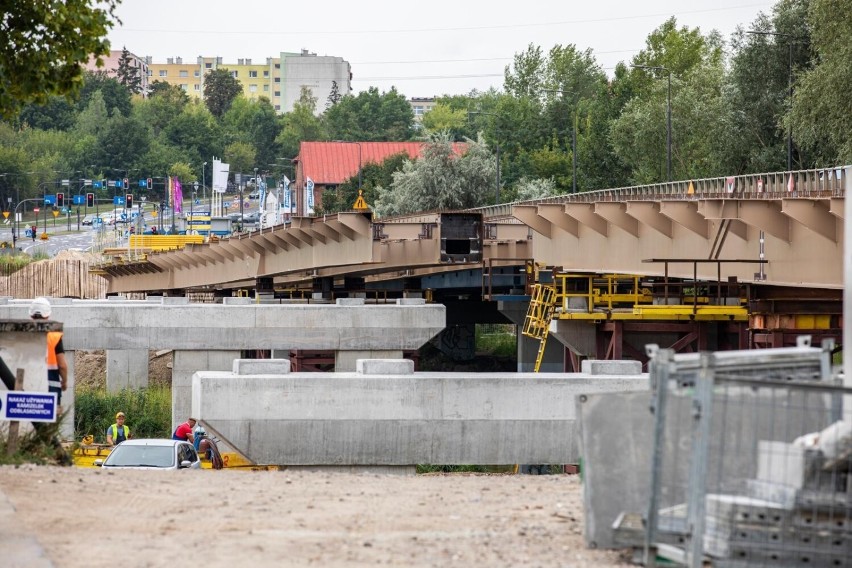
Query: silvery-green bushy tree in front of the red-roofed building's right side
[440, 179]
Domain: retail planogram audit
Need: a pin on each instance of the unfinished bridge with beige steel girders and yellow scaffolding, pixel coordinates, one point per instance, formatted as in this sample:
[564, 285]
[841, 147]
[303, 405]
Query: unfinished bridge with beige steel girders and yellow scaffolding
[723, 263]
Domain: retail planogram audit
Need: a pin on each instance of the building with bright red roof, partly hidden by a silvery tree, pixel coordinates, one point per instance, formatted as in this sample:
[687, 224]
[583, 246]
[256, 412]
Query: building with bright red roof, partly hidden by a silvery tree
[329, 164]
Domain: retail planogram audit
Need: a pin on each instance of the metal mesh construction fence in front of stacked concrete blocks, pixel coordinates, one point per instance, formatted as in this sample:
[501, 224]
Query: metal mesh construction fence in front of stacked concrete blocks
[752, 460]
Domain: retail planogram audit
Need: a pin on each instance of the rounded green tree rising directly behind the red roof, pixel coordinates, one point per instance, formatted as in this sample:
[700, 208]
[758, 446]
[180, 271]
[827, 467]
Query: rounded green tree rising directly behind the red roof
[371, 117]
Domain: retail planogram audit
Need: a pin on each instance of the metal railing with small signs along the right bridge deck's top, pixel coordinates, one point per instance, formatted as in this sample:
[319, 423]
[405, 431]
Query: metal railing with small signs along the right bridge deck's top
[824, 182]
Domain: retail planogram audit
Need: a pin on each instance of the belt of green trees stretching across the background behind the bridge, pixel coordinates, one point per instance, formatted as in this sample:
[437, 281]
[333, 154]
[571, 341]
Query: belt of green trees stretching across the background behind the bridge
[776, 91]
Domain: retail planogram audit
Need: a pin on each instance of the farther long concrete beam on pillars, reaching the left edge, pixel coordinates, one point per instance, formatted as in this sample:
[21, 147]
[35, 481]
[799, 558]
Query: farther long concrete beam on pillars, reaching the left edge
[99, 324]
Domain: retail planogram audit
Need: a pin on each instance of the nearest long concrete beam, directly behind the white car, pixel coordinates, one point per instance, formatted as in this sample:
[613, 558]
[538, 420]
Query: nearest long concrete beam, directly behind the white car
[400, 419]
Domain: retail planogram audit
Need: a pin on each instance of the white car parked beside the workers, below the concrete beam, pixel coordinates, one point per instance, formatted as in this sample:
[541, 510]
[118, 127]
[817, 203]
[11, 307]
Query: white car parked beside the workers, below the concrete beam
[152, 454]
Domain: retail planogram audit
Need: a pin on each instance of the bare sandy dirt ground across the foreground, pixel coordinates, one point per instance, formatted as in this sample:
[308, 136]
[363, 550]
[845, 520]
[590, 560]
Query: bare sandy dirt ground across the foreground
[89, 518]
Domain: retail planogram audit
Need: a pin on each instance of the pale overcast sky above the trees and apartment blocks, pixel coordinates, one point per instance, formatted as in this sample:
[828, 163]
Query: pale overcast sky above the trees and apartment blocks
[425, 48]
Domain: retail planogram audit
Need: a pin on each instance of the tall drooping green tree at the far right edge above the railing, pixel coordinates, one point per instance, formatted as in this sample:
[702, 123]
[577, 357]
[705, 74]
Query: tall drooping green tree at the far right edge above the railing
[820, 115]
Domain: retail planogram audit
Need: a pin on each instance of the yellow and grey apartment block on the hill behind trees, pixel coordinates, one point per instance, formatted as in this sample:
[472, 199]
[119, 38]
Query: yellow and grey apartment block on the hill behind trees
[280, 79]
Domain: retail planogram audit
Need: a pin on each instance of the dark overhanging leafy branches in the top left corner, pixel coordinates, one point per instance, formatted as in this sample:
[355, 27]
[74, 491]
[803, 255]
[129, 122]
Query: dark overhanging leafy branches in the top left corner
[45, 45]
